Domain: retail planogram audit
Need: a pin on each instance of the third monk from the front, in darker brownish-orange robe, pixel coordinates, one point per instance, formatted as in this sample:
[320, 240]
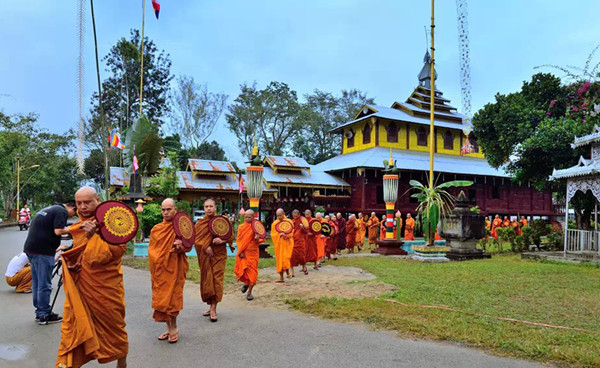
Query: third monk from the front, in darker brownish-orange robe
[212, 258]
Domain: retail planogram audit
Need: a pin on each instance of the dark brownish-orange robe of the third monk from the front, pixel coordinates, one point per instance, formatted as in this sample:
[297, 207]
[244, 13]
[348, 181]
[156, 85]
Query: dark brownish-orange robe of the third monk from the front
[212, 269]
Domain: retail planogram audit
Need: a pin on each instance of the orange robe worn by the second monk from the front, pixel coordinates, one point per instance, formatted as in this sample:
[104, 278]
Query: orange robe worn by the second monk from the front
[167, 270]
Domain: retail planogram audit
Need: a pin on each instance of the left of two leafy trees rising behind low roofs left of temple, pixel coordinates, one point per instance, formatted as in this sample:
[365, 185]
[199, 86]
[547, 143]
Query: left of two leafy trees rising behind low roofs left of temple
[271, 113]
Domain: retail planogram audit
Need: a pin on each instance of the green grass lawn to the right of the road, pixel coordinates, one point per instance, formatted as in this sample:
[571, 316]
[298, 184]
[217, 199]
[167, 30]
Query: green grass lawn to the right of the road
[505, 286]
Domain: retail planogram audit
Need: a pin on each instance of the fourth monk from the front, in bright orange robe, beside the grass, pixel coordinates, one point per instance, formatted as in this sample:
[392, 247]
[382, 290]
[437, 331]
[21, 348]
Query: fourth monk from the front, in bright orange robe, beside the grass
[246, 260]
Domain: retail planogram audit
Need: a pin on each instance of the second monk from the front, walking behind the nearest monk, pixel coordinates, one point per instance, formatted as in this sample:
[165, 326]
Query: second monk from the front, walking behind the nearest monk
[168, 267]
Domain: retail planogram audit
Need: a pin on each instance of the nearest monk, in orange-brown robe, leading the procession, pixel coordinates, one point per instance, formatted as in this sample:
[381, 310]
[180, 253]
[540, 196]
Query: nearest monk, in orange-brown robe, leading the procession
[93, 326]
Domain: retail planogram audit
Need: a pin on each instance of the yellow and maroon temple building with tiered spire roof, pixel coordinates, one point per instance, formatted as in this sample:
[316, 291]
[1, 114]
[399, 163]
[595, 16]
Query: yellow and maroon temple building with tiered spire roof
[404, 128]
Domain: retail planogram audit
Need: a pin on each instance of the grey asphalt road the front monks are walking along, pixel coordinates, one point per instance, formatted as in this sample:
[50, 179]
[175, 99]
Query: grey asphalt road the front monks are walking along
[243, 337]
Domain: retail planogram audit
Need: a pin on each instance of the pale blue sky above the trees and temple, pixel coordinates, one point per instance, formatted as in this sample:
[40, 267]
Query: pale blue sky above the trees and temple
[375, 46]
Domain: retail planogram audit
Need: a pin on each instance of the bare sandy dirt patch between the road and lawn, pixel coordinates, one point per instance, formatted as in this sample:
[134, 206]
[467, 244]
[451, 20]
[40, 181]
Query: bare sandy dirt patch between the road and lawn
[329, 281]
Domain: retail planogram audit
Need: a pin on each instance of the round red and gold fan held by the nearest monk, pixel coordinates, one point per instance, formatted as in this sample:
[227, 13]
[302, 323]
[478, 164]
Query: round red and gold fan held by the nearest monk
[118, 223]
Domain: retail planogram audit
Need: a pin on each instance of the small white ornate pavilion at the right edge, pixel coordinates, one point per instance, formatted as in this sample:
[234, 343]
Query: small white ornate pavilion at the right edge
[583, 177]
